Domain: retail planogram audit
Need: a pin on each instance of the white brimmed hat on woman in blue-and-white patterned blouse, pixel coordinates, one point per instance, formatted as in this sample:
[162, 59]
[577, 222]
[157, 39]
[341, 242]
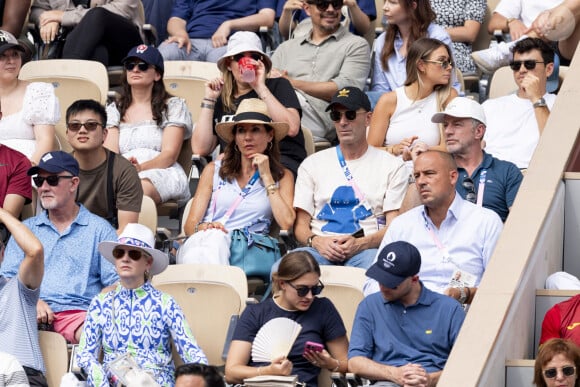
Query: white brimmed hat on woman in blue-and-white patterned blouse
[136, 235]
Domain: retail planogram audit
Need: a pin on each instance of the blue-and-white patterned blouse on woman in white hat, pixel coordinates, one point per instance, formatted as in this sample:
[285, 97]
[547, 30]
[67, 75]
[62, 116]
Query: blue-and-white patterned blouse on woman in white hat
[139, 322]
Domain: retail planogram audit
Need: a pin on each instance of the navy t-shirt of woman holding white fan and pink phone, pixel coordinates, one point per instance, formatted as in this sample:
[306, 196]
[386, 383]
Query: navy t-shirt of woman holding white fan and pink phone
[320, 323]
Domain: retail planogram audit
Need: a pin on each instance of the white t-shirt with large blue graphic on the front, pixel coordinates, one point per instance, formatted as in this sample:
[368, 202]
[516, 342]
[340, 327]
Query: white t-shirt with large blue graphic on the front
[323, 191]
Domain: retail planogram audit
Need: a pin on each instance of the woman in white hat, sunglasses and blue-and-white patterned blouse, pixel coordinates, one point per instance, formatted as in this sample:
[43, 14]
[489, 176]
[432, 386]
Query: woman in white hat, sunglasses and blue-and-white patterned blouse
[135, 321]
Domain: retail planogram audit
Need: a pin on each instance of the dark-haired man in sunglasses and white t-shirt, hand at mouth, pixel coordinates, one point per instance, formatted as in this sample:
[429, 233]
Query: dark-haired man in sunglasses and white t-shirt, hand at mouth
[516, 121]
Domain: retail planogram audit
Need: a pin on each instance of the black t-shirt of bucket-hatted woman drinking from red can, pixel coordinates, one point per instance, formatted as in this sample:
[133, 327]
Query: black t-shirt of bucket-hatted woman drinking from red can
[291, 148]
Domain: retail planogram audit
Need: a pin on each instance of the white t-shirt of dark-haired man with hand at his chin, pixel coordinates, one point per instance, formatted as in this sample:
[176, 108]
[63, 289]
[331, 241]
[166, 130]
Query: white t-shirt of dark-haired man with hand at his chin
[512, 132]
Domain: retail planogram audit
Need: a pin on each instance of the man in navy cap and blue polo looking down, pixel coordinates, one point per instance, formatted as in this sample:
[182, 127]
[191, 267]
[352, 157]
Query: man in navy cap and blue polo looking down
[403, 334]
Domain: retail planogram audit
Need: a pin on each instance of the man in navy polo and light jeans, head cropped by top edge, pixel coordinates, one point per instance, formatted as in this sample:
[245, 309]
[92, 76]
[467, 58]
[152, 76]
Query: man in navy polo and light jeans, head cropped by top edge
[199, 30]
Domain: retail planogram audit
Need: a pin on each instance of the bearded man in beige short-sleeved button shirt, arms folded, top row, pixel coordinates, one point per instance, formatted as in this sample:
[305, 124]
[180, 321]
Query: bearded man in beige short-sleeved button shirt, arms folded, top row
[320, 63]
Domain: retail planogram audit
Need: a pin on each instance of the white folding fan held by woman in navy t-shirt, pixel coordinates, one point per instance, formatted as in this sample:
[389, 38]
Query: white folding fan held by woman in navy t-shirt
[275, 339]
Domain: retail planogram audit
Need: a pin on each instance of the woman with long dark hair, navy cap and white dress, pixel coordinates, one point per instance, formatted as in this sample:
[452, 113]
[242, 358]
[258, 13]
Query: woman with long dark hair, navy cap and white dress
[148, 126]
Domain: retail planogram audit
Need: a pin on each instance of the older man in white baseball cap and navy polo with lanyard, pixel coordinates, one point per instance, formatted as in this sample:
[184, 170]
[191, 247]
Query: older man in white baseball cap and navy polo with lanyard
[483, 179]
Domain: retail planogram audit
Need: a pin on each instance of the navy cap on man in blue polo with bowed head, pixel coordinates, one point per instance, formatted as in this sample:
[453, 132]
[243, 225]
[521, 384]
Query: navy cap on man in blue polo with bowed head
[396, 262]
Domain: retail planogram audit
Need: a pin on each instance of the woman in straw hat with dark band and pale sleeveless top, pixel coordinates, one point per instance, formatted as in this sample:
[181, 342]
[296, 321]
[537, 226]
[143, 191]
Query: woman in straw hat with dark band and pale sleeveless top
[249, 186]
